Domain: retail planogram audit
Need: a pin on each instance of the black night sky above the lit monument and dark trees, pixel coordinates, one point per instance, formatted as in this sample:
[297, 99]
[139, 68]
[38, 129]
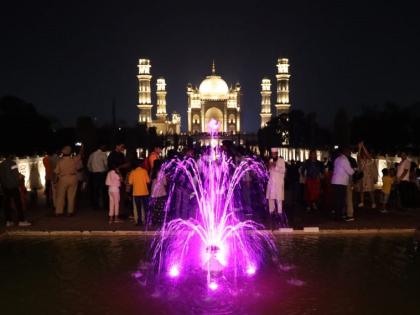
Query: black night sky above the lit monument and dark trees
[71, 58]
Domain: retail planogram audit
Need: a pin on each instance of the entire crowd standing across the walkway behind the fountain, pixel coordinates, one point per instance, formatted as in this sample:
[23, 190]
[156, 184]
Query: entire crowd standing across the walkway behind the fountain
[131, 188]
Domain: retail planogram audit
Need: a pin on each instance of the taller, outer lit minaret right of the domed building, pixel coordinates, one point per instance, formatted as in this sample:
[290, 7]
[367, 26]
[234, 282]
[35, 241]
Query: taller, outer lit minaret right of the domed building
[282, 104]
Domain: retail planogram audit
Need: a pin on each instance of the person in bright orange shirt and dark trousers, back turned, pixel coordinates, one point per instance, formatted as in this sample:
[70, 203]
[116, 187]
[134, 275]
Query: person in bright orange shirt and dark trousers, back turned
[139, 180]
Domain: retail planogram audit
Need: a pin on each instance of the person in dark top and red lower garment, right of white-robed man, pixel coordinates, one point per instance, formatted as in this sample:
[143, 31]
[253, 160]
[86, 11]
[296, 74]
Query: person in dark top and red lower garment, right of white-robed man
[312, 170]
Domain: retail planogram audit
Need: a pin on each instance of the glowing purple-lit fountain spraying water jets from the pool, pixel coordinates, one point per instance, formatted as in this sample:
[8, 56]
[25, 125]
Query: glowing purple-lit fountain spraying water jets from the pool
[213, 241]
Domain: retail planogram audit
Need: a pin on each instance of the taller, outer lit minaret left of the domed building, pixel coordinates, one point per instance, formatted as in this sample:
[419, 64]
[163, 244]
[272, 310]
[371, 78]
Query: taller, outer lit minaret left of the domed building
[145, 100]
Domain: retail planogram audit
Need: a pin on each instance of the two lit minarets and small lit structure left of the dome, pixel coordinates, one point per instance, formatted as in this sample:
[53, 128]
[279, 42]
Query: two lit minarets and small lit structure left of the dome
[162, 124]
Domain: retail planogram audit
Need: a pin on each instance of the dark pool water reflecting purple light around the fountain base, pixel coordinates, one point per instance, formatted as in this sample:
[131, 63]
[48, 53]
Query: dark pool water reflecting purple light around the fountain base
[315, 275]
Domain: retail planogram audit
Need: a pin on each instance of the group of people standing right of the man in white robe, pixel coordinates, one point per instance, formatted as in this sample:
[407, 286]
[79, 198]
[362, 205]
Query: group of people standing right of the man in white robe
[335, 183]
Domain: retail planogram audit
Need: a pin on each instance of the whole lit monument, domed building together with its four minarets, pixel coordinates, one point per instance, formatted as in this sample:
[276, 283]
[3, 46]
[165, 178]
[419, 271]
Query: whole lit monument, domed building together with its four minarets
[213, 99]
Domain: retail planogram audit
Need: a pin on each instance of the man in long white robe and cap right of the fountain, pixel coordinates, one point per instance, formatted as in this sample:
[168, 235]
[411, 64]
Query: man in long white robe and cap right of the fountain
[275, 185]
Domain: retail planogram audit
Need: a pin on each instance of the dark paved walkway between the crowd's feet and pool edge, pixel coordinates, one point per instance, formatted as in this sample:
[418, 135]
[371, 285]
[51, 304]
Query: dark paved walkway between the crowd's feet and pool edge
[94, 220]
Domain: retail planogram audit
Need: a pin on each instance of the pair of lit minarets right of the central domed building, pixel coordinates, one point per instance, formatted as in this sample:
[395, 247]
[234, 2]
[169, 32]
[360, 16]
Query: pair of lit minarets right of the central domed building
[282, 101]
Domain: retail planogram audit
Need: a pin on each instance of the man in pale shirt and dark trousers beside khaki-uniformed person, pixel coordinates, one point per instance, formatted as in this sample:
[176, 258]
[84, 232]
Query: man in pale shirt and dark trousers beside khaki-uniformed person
[98, 166]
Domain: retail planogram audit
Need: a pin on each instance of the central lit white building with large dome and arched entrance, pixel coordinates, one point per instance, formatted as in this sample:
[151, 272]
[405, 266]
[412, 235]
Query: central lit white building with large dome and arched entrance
[214, 100]
